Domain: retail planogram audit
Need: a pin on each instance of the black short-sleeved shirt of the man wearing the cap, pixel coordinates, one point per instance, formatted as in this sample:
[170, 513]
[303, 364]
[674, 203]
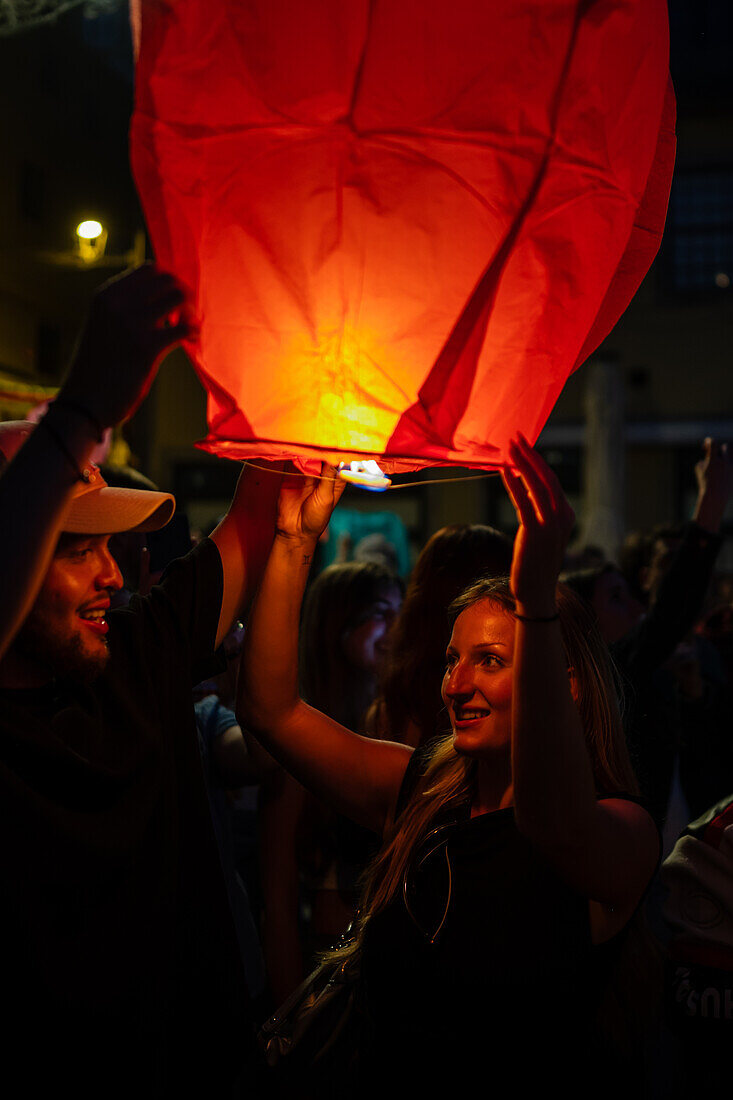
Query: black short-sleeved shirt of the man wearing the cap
[121, 969]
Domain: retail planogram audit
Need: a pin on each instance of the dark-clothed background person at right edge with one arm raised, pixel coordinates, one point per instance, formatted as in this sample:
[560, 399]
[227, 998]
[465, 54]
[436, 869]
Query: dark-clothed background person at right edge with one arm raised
[677, 732]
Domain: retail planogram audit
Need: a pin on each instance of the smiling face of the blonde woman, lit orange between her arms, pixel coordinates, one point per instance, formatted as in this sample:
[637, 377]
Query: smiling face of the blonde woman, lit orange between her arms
[477, 688]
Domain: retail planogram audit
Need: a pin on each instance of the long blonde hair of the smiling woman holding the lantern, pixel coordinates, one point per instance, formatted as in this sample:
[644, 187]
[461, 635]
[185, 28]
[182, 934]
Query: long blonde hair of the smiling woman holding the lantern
[450, 778]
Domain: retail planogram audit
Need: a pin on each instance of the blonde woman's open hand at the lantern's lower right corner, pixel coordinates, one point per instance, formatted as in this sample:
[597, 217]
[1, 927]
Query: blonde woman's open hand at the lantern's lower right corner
[546, 521]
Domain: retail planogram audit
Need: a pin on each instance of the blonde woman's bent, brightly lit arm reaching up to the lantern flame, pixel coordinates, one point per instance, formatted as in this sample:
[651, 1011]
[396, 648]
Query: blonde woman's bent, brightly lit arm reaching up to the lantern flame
[356, 776]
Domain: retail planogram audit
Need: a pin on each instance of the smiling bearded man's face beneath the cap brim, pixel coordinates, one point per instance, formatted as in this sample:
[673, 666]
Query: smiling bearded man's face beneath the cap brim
[65, 633]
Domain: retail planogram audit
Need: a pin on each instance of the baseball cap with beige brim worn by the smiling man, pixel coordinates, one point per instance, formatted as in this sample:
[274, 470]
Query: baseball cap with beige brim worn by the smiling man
[96, 508]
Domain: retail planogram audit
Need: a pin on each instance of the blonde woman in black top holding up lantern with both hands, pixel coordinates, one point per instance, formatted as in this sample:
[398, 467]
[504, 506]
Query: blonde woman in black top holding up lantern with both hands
[516, 857]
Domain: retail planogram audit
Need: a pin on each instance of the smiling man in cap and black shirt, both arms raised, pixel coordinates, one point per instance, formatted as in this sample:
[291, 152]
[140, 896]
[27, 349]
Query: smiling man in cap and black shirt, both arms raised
[119, 963]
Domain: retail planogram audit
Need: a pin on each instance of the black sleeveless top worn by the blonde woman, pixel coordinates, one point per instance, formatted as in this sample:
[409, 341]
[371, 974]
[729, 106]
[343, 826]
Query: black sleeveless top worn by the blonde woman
[486, 954]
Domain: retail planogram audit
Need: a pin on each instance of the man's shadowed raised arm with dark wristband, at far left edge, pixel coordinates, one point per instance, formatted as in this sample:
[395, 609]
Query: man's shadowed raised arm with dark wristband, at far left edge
[126, 337]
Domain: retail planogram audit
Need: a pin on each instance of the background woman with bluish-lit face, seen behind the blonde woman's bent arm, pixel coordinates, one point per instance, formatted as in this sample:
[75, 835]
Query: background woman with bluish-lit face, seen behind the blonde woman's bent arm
[311, 857]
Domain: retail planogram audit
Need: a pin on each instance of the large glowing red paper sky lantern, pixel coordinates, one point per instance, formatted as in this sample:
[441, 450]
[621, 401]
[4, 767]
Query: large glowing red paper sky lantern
[404, 223]
